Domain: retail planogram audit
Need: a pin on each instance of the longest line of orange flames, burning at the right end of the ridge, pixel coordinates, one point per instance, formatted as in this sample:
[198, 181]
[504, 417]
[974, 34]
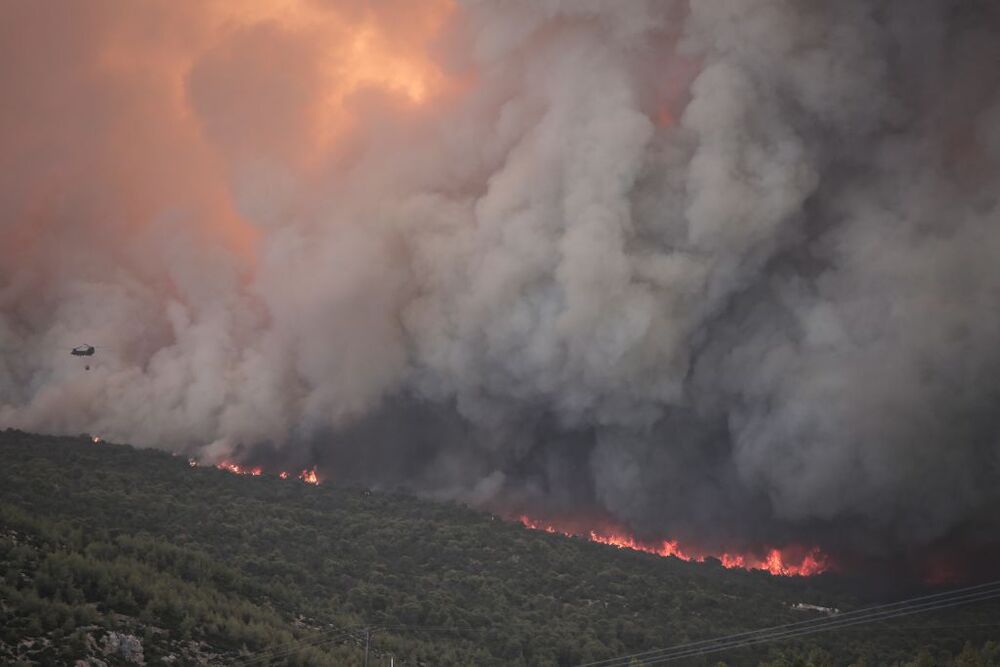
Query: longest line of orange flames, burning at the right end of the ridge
[776, 561]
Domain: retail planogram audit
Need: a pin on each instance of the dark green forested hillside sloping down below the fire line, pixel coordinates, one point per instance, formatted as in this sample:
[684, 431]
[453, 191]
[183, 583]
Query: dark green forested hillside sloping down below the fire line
[108, 551]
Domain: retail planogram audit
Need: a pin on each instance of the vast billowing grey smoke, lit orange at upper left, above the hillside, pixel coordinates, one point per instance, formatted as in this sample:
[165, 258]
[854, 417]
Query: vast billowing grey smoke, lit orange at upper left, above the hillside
[726, 271]
